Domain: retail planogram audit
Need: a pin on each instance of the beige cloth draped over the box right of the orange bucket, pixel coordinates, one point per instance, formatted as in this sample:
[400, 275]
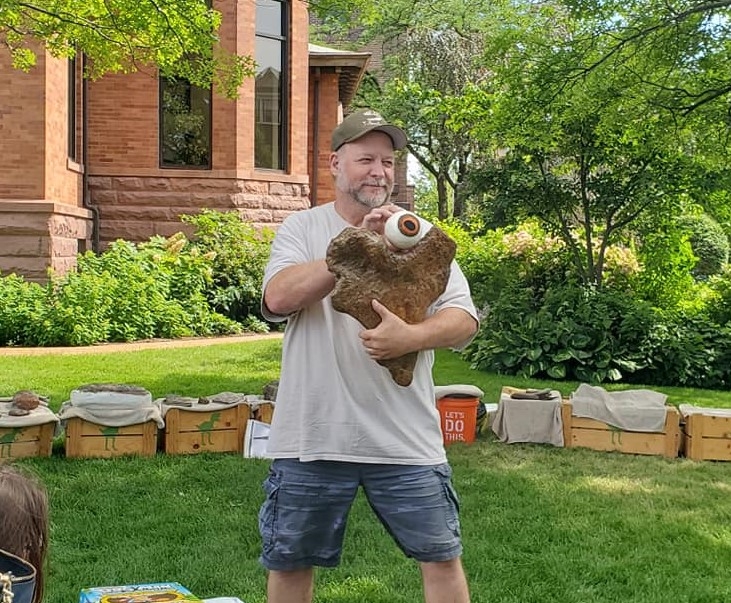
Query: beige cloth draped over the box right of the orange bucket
[533, 421]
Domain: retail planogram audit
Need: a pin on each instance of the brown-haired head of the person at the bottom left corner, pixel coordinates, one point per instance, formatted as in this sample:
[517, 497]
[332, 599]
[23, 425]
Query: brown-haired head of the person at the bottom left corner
[24, 519]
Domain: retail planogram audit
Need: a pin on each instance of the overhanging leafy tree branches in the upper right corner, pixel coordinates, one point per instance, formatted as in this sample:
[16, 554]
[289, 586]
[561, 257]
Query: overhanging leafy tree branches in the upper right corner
[680, 51]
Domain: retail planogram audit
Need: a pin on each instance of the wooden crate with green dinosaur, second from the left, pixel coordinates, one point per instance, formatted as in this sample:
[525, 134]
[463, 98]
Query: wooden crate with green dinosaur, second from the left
[87, 439]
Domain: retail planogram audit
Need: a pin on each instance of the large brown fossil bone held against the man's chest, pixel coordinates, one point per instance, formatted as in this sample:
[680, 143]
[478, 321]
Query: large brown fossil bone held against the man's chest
[407, 283]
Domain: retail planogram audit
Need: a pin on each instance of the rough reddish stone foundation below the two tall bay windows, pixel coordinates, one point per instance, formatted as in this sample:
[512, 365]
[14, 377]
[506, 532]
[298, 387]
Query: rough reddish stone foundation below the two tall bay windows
[136, 208]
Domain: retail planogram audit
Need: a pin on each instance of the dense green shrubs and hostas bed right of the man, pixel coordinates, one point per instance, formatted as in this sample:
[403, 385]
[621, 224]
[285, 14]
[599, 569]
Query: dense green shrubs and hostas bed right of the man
[539, 322]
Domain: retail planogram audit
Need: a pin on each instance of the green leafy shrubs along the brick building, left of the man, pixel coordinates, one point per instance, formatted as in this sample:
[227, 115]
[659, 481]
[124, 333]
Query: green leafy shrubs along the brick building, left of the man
[165, 287]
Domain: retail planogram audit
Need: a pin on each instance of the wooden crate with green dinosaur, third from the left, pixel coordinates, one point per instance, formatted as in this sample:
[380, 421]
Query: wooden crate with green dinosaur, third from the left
[190, 432]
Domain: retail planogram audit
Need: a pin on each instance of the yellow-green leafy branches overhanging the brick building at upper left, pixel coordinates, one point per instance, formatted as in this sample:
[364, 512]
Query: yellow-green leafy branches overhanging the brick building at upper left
[177, 36]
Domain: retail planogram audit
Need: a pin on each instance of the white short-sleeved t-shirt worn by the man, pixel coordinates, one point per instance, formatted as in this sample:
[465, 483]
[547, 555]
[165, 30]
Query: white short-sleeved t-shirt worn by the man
[333, 401]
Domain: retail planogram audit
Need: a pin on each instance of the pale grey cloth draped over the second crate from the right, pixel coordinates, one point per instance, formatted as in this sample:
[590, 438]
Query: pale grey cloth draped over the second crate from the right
[629, 410]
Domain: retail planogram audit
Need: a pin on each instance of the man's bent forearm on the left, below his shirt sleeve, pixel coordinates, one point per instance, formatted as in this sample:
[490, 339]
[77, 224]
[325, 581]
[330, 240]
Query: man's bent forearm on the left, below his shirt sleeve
[297, 287]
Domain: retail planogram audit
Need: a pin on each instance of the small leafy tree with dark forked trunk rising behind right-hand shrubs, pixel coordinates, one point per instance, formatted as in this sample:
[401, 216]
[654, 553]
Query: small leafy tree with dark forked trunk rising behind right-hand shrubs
[587, 159]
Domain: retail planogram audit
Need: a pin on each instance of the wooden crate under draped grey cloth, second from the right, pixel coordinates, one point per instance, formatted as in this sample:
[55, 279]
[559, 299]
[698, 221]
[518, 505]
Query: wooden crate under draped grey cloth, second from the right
[589, 433]
